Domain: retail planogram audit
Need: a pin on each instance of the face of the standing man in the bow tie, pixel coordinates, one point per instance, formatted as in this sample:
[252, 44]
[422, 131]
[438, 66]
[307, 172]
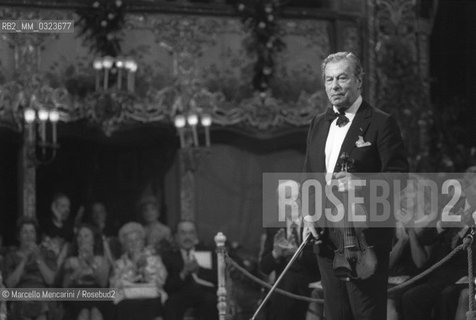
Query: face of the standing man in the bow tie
[342, 86]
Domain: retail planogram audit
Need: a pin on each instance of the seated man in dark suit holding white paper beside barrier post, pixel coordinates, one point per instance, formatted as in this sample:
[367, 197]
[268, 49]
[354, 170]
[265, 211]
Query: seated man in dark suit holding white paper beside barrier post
[192, 278]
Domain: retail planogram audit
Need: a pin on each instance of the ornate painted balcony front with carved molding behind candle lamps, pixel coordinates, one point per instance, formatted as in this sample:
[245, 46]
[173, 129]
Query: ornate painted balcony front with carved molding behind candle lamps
[182, 70]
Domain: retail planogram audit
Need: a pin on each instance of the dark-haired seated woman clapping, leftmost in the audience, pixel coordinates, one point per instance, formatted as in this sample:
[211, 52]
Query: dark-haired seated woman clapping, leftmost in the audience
[31, 266]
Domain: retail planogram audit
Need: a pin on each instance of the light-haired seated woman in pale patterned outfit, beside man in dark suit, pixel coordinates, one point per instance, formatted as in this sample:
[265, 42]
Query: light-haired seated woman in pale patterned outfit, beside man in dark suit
[141, 276]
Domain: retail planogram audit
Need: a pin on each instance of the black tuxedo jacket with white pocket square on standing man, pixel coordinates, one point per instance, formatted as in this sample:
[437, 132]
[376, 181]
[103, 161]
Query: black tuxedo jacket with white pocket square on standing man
[384, 154]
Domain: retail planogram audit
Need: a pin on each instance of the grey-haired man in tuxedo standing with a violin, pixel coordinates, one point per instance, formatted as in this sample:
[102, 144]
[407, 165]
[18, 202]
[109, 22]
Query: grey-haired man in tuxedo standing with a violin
[372, 139]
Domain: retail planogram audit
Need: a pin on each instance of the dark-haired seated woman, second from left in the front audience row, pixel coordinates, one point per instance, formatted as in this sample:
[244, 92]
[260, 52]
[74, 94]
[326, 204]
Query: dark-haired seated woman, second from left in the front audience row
[87, 268]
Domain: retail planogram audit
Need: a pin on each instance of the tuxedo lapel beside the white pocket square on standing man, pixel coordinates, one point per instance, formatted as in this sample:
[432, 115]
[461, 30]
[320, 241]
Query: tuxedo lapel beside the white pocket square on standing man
[357, 128]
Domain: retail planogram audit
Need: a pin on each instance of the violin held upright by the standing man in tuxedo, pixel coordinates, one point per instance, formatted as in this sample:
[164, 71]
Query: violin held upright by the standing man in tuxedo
[353, 257]
